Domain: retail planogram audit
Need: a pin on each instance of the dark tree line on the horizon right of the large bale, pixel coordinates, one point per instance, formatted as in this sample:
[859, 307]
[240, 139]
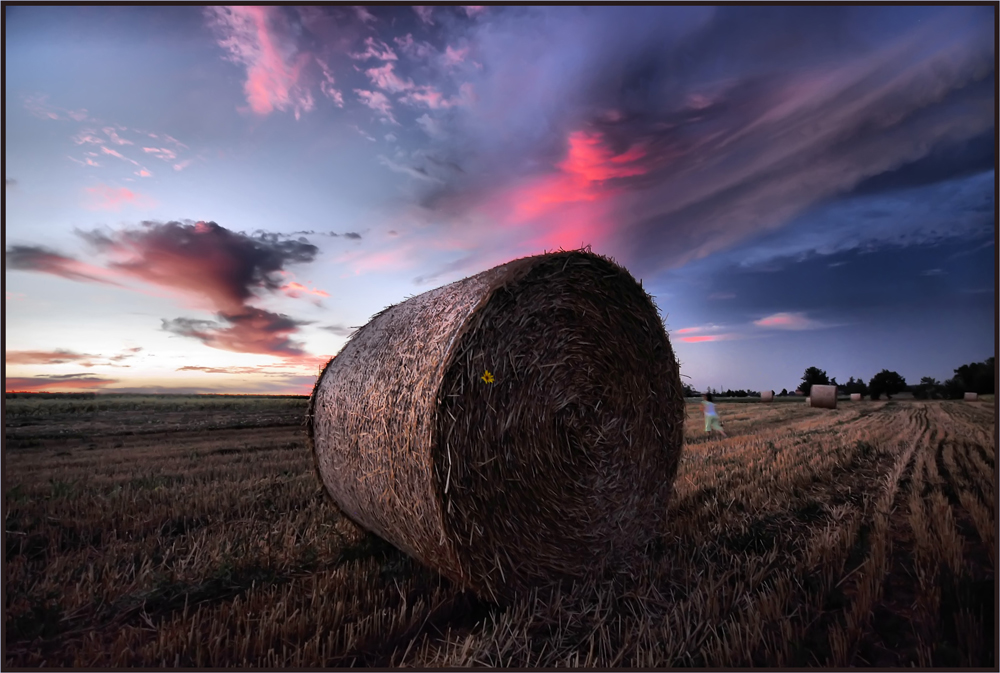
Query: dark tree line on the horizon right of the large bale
[975, 377]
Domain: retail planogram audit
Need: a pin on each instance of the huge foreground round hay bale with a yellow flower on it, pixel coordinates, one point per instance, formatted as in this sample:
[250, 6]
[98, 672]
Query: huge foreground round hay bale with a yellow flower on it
[515, 428]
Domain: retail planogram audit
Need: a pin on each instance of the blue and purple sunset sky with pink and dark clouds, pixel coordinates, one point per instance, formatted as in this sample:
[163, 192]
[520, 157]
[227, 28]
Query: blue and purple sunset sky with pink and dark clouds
[210, 200]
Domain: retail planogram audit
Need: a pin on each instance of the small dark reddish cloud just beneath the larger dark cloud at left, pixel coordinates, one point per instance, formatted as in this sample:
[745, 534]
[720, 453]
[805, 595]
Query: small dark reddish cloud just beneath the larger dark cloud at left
[252, 330]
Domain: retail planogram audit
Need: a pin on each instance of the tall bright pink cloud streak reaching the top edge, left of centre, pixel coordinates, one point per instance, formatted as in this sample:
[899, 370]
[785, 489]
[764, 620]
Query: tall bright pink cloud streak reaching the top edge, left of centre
[252, 36]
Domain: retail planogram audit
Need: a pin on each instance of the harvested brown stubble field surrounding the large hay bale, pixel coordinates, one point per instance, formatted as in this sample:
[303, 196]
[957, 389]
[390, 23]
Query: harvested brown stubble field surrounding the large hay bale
[195, 532]
